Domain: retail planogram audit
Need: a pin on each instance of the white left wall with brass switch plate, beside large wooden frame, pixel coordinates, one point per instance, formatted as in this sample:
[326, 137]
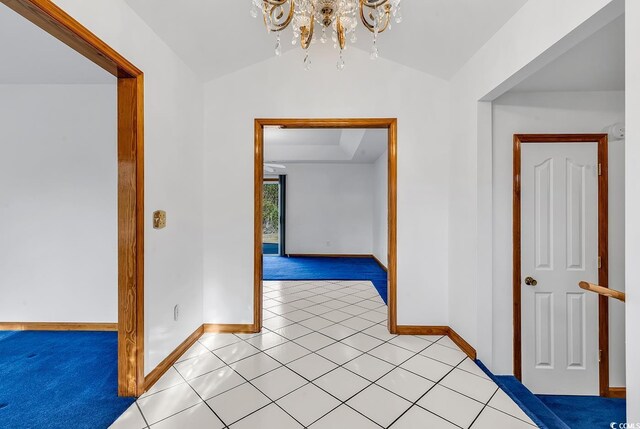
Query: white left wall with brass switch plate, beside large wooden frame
[173, 172]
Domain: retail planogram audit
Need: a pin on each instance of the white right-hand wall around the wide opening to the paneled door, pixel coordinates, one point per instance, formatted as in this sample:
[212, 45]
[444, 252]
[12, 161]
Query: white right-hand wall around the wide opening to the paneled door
[535, 36]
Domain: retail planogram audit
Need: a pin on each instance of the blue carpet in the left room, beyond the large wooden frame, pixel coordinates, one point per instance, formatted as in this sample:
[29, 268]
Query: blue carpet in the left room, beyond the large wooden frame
[59, 380]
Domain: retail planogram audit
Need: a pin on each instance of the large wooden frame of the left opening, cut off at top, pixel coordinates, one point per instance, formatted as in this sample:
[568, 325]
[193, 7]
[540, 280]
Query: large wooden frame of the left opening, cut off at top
[60, 25]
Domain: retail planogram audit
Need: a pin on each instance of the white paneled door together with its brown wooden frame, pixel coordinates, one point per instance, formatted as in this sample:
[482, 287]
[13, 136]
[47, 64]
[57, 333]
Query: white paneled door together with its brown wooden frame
[539, 256]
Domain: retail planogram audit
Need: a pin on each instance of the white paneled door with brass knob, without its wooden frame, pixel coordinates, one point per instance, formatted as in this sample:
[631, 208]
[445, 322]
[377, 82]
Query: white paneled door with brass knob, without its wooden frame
[559, 221]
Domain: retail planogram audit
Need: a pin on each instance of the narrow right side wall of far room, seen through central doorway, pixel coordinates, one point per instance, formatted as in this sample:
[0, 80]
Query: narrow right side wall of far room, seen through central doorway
[380, 208]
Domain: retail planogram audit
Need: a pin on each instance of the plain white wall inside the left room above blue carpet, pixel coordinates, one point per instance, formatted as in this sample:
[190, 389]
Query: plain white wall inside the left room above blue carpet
[58, 203]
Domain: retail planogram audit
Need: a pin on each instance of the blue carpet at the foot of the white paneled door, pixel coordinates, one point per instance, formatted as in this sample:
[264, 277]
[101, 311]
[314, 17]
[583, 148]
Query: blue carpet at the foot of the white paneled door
[587, 411]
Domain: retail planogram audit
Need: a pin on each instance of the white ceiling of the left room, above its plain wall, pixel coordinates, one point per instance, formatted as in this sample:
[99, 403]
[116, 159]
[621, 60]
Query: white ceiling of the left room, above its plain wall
[32, 56]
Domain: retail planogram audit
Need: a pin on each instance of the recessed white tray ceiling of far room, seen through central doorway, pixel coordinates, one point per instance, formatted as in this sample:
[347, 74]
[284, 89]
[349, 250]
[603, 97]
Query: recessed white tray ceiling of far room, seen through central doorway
[352, 146]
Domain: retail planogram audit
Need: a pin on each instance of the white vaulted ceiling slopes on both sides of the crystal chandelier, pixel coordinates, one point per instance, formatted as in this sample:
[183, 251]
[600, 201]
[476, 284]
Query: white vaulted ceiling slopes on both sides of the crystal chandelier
[217, 37]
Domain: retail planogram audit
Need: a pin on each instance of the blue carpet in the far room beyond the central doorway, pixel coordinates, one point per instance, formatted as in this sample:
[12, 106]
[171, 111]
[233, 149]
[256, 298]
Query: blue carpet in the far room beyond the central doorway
[303, 268]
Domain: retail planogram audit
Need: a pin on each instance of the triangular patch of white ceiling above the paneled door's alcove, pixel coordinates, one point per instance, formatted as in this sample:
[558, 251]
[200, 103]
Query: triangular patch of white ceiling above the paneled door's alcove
[596, 64]
